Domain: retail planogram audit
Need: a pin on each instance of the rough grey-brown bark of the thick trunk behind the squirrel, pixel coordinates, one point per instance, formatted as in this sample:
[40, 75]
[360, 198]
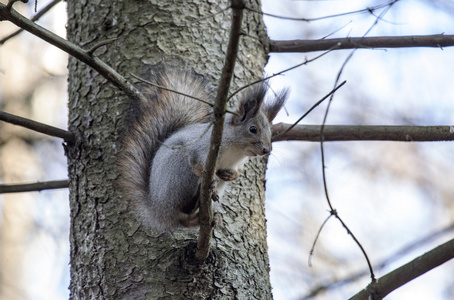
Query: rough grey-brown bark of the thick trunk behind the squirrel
[112, 255]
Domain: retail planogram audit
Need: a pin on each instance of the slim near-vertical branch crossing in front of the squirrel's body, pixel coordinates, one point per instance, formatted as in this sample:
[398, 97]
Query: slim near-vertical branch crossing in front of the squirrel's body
[205, 210]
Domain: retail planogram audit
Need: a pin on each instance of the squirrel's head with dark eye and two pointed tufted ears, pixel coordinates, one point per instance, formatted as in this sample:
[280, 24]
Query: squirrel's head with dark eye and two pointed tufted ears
[252, 122]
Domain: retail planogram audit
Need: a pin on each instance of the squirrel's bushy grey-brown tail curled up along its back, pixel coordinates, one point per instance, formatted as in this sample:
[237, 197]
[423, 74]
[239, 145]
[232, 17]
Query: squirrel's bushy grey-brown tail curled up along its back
[150, 123]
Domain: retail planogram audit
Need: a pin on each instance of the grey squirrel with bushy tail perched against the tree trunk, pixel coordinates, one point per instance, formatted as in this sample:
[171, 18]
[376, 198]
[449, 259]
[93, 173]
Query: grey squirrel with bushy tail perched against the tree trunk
[167, 142]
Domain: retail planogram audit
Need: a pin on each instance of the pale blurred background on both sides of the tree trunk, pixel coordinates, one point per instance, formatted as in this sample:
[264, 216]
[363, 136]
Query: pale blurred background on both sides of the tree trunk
[392, 195]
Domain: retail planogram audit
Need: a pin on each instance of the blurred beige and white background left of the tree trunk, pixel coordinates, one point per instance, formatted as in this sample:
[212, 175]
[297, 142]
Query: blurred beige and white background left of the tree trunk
[34, 227]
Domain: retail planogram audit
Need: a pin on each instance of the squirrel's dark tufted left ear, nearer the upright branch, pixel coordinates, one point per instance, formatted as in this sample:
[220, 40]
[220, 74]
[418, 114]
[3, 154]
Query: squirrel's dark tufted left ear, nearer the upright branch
[250, 104]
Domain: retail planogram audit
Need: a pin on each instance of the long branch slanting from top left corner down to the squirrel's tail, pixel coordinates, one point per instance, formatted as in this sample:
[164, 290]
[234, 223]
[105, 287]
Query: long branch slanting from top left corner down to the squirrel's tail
[101, 67]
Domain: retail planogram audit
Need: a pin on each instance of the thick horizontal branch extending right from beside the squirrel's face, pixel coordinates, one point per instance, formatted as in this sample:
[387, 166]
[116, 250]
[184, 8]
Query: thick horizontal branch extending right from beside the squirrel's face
[364, 133]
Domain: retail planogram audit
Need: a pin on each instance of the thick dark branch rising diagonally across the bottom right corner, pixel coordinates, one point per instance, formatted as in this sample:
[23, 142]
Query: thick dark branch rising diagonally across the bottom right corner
[400, 276]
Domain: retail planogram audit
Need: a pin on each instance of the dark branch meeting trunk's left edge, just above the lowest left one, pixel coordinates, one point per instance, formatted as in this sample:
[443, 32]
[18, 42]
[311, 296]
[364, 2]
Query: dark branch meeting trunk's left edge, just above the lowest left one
[37, 126]
